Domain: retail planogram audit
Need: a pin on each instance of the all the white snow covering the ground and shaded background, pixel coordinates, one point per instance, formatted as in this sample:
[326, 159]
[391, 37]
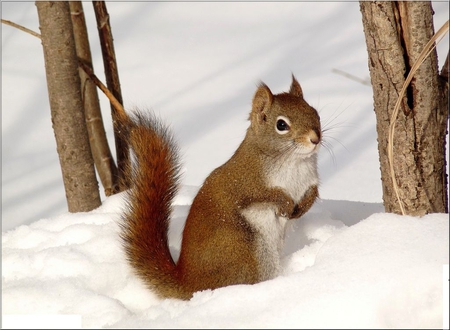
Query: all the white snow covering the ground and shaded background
[347, 264]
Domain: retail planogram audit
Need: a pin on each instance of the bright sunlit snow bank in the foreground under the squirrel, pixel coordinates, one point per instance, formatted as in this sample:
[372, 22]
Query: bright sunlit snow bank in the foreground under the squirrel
[381, 270]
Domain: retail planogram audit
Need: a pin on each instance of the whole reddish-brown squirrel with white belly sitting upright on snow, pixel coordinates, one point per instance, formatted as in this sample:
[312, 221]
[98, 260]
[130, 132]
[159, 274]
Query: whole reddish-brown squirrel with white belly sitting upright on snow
[234, 231]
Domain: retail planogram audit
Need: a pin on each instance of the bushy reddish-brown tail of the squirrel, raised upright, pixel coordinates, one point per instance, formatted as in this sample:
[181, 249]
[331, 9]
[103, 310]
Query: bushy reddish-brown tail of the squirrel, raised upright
[154, 176]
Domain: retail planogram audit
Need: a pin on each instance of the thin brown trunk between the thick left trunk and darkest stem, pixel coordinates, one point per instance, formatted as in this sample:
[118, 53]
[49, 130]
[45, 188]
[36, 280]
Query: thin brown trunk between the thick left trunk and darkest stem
[103, 159]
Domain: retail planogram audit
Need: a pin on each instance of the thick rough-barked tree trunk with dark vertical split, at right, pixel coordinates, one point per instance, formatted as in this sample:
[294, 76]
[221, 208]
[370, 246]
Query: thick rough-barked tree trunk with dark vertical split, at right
[396, 33]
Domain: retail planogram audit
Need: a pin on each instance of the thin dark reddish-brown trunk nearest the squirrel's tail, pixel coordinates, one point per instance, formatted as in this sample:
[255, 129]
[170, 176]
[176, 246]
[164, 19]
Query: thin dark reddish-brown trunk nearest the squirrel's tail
[113, 84]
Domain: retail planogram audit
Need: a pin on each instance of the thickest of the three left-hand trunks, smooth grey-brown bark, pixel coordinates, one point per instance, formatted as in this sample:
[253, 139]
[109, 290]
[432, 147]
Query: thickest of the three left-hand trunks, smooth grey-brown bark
[63, 83]
